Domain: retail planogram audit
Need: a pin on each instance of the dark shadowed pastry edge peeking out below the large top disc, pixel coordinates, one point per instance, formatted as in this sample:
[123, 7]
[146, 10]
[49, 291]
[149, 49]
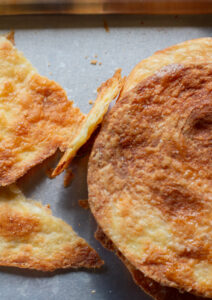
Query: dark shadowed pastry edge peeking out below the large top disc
[150, 286]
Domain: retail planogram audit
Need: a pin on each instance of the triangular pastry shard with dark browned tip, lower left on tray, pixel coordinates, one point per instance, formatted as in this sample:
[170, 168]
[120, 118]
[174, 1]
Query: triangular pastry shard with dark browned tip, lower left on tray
[30, 237]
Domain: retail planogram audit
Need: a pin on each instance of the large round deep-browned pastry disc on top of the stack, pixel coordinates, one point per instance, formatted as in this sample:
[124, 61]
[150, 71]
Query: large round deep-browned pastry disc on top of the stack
[149, 177]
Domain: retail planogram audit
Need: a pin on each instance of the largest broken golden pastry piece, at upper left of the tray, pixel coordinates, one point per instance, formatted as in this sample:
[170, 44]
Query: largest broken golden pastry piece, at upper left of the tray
[36, 117]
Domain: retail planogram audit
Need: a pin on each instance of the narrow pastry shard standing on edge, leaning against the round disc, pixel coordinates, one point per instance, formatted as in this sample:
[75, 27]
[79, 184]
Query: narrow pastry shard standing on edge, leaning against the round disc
[107, 92]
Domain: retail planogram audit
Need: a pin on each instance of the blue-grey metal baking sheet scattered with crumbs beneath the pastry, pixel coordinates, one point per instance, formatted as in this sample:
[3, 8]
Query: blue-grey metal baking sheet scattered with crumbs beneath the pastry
[62, 47]
